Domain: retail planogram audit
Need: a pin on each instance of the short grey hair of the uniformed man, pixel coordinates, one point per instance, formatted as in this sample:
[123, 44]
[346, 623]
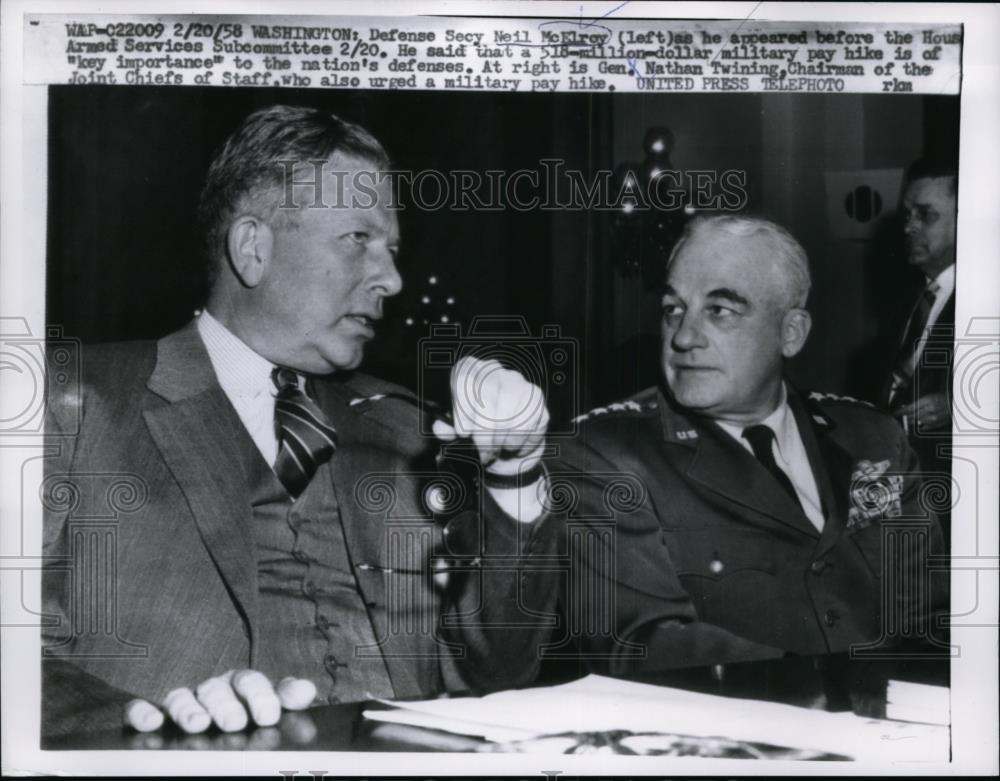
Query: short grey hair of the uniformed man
[795, 277]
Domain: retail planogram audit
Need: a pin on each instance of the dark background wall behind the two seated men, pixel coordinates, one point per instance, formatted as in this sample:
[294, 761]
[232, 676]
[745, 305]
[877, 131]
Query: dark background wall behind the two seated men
[125, 169]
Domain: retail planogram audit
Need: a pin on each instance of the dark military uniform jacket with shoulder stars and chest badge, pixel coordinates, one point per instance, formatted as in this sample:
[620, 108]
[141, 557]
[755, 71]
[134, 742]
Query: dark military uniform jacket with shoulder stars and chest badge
[713, 553]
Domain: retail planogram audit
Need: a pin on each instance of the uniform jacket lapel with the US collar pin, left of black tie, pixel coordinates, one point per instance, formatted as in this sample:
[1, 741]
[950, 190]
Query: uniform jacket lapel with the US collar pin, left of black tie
[721, 465]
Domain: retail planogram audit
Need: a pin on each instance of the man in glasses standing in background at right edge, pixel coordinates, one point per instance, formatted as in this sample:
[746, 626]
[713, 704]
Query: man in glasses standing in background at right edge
[917, 390]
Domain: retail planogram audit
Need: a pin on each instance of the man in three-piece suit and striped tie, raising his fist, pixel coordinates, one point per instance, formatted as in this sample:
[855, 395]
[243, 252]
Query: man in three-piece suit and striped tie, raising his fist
[273, 527]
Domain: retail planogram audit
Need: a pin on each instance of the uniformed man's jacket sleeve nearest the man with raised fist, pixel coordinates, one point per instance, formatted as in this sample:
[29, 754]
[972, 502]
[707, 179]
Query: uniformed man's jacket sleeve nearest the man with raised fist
[625, 608]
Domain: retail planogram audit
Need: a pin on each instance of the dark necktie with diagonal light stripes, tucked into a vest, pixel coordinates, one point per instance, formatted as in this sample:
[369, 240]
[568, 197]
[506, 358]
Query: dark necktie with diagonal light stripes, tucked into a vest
[305, 436]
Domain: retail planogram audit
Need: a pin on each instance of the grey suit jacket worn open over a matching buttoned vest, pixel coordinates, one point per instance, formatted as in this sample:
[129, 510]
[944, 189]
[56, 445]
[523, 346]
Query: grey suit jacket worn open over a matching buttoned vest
[147, 448]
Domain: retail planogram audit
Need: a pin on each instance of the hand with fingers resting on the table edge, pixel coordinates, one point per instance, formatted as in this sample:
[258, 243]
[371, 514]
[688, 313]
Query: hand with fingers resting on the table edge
[230, 700]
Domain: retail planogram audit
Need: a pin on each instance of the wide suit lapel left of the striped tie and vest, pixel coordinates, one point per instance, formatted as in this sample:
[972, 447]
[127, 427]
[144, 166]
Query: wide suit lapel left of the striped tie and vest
[198, 433]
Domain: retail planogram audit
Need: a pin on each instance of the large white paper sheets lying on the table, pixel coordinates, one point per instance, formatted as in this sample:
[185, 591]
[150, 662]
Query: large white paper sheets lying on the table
[597, 703]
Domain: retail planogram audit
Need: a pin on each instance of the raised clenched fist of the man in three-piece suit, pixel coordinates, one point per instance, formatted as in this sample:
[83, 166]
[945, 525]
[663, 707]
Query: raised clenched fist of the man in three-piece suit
[503, 413]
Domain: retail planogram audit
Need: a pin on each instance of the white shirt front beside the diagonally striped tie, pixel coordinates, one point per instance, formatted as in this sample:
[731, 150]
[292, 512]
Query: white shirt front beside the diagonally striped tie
[245, 377]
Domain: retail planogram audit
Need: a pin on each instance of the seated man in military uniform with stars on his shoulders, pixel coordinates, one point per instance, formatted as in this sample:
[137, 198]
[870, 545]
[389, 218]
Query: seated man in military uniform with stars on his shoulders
[749, 519]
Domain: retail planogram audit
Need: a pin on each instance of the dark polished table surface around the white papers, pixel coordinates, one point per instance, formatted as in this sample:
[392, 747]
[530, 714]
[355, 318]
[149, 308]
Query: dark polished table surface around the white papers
[833, 683]
